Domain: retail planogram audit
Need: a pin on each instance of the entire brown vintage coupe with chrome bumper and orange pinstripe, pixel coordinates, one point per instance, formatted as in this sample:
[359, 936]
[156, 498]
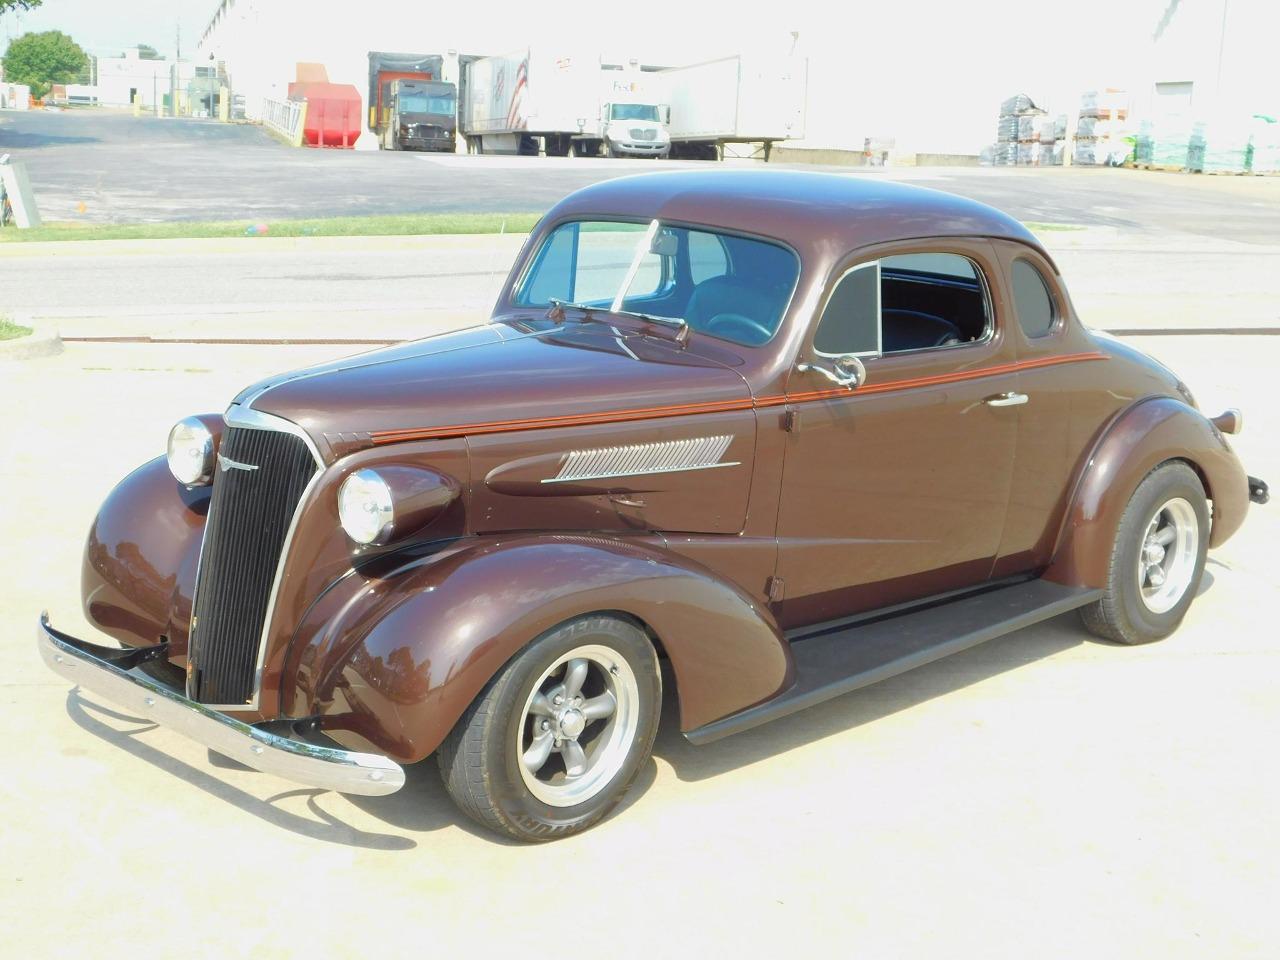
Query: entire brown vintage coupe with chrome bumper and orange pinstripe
[793, 433]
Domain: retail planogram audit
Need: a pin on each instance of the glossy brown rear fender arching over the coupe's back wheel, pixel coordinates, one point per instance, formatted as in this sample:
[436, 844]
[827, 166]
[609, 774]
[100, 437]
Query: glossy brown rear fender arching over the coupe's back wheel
[1142, 438]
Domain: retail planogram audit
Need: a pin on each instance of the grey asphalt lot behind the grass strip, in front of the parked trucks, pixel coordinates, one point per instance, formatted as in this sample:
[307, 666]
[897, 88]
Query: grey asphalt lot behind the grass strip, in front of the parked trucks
[134, 170]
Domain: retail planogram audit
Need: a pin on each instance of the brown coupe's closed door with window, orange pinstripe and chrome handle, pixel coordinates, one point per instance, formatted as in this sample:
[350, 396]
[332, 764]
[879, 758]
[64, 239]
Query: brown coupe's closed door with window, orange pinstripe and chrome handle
[898, 488]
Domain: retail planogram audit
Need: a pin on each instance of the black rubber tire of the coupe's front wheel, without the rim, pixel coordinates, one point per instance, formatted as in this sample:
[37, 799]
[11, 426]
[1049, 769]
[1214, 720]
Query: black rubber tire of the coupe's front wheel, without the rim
[482, 760]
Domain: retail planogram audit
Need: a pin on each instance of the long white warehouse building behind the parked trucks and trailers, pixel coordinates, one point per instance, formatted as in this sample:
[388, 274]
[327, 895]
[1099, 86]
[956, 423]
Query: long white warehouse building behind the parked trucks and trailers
[922, 79]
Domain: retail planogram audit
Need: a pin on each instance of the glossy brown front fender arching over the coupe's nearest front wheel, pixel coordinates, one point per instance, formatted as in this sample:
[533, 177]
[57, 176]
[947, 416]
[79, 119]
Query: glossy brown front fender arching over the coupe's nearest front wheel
[392, 660]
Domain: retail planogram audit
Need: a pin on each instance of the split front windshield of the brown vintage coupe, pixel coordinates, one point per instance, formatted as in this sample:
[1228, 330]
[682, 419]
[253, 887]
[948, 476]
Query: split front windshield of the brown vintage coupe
[726, 286]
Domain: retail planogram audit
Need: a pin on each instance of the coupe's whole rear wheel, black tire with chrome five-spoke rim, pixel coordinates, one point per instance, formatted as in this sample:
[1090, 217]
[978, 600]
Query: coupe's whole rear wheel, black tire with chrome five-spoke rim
[1158, 559]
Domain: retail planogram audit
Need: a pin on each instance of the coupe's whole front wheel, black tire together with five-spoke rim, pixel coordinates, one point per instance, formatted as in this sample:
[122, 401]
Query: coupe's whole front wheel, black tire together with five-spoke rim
[555, 740]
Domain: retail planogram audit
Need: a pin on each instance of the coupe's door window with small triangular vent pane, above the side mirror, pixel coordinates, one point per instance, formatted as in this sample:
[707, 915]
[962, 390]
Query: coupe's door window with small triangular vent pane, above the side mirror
[908, 303]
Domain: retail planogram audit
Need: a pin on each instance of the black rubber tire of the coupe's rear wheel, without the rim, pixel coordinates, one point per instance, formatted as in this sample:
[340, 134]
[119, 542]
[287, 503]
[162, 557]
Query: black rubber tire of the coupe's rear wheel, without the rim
[1123, 615]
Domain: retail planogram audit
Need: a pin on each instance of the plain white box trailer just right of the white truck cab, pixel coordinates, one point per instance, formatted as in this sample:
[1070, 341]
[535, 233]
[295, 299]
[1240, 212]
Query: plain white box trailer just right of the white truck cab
[740, 99]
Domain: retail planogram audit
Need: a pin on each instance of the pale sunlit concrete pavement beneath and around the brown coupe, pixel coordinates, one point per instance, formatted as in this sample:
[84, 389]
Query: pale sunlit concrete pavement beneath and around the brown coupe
[1044, 796]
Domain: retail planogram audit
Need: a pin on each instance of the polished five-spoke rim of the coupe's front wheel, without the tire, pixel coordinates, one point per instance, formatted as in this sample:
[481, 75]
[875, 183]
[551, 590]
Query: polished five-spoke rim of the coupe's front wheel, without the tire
[579, 725]
